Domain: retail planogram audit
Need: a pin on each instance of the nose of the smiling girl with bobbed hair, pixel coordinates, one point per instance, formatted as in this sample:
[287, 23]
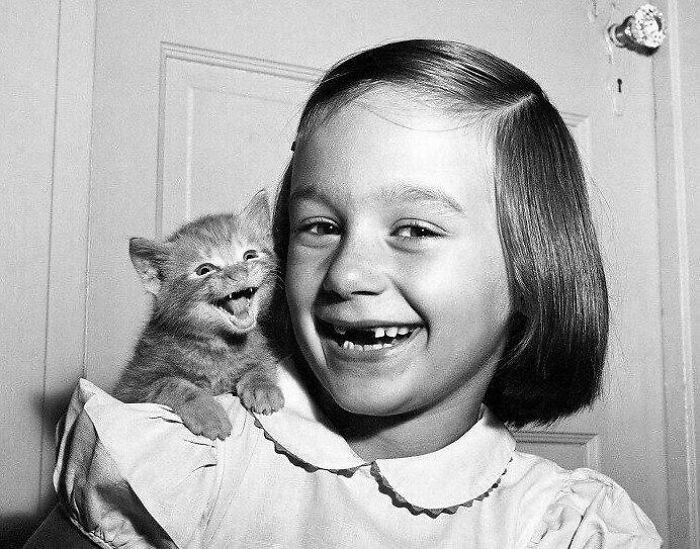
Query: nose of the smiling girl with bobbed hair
[356, 268]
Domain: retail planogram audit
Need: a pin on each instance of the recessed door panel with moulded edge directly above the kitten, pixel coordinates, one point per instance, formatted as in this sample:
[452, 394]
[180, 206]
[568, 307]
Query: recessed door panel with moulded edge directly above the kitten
[227, 126]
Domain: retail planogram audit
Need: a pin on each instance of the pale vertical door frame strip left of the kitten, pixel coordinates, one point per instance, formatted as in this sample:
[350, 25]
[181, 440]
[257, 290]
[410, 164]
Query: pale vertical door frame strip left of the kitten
[66, 313]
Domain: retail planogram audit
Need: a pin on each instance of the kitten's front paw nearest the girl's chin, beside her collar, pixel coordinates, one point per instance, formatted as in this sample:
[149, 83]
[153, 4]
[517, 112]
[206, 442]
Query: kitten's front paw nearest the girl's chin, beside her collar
[257, 387]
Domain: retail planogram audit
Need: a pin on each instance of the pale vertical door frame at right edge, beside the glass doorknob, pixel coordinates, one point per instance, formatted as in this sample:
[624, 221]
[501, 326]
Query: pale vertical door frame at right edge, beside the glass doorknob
[677, 146]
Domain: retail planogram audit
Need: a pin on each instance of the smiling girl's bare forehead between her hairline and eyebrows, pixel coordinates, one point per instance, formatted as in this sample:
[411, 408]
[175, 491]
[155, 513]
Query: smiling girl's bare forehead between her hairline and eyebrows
[372, 145]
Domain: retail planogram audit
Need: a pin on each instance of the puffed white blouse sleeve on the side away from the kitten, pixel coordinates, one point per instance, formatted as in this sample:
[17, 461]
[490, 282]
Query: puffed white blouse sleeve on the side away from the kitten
[593, 512]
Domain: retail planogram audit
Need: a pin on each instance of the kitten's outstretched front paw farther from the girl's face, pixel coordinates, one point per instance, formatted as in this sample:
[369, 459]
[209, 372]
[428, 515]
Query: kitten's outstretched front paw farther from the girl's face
[200, 412]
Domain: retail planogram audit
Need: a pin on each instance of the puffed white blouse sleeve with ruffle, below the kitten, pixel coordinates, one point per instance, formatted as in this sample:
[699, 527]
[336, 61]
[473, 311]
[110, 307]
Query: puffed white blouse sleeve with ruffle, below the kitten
[132, 475]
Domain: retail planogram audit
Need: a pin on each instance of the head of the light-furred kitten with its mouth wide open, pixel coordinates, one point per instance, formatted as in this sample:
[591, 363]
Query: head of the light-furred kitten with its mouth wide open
[215, 274]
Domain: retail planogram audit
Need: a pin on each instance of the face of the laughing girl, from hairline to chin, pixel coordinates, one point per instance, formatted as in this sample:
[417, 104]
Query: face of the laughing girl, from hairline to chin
[395, 277]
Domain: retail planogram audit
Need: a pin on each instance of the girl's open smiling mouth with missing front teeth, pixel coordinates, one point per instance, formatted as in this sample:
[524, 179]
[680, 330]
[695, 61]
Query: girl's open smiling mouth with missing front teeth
[365, 338]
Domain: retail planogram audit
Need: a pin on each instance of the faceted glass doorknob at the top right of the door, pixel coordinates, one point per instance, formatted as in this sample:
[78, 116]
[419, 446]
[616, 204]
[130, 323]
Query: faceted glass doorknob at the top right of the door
[643, 32]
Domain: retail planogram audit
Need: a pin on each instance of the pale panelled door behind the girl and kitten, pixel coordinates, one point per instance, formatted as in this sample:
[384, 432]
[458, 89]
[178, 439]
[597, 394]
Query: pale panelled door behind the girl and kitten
[194, 109]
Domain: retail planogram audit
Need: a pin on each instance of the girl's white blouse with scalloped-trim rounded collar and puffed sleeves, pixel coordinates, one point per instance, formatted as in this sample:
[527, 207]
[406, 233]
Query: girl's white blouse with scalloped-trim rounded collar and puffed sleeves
[132, 475]
